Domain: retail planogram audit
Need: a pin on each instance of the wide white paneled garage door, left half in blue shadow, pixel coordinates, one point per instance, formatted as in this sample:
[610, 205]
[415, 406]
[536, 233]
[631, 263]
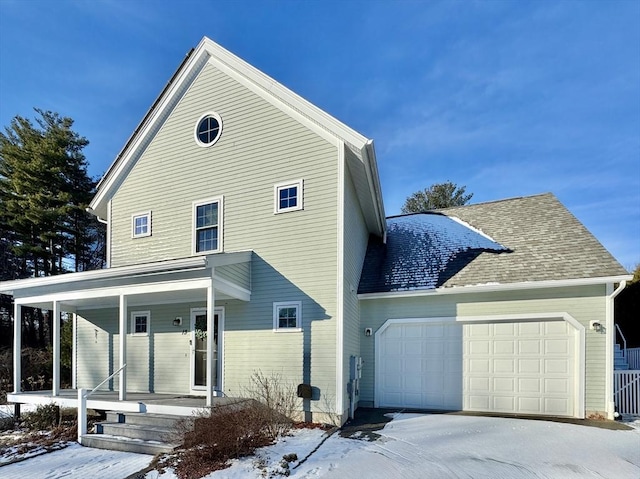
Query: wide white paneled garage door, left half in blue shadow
[511, 367]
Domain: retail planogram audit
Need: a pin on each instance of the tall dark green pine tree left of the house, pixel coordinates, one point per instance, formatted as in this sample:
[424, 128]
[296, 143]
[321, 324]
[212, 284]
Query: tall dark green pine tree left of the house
[44, 191]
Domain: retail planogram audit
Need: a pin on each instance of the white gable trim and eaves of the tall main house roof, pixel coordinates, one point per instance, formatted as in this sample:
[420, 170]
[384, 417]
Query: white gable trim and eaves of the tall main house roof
[208, 52]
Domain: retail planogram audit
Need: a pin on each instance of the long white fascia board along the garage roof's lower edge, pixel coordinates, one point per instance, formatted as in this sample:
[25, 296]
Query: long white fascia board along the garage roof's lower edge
[487, 288]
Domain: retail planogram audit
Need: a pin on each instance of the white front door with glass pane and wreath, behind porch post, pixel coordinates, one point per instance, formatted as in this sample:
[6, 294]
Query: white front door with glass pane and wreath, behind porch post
[199, 338]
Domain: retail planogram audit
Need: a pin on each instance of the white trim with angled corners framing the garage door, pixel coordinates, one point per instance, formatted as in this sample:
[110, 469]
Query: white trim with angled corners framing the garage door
[579, 406]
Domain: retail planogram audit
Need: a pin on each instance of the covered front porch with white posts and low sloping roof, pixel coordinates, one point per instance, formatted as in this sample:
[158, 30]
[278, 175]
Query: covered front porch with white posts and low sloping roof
[201, 280]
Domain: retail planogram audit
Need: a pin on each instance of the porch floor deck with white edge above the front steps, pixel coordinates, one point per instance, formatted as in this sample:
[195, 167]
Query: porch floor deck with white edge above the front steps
[177, 404]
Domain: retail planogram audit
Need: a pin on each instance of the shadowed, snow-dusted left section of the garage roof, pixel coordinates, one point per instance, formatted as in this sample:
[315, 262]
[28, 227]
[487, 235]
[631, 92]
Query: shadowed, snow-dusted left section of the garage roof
[422, 251]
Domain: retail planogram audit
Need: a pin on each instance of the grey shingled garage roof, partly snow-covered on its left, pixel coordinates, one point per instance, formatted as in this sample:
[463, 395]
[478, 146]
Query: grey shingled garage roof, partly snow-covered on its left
[536, 237]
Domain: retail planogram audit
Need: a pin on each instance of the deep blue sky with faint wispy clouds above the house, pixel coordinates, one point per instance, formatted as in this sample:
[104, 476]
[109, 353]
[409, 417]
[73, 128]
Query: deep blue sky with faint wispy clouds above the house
[509, 98]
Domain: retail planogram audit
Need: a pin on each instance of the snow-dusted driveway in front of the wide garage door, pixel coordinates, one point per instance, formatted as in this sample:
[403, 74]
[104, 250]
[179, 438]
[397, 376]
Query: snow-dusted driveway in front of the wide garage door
[459, 446]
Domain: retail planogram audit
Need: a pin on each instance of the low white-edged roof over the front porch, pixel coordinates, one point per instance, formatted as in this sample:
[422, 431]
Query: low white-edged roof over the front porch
[147, 283]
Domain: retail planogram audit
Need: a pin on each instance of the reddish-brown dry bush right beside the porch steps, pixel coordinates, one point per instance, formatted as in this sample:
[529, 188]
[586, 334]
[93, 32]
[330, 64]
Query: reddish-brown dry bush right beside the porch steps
[226, 432]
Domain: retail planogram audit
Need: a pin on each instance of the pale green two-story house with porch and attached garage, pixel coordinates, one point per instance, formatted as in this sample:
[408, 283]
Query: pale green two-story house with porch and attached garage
[246, 232]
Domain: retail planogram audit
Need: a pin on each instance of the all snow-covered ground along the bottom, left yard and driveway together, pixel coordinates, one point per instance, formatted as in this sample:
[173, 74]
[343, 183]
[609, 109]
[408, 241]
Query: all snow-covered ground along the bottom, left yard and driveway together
[411, 446]
